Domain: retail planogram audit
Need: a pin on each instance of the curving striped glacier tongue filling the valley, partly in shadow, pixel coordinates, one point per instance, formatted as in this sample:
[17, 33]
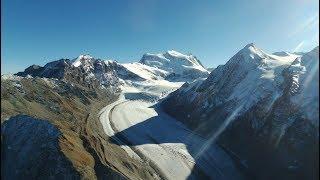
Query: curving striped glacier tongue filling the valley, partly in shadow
[149, 134]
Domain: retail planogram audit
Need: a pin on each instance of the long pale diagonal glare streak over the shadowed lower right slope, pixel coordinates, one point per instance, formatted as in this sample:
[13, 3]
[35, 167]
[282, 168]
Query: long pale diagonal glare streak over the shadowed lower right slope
[219, 131]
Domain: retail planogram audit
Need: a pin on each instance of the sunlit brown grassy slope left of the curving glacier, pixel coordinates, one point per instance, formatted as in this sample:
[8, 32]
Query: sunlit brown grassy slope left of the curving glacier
[74, 110]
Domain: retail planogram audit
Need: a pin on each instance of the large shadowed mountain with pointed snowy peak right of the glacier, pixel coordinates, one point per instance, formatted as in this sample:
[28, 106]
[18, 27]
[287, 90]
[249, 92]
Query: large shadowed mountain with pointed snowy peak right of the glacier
[257, 106]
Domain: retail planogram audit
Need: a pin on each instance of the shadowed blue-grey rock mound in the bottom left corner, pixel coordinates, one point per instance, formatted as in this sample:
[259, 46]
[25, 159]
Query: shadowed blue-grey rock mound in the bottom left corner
[30, 150]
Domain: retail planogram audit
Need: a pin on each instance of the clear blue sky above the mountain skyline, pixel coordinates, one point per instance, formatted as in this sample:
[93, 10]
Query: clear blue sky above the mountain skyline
[39, 31]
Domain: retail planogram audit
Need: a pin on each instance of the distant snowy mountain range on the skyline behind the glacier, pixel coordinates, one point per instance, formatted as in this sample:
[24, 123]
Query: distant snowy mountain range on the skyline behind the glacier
[171, 66]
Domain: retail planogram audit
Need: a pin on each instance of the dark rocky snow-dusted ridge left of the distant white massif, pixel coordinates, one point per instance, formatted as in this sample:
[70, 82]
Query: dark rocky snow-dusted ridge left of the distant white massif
[92, 72]
